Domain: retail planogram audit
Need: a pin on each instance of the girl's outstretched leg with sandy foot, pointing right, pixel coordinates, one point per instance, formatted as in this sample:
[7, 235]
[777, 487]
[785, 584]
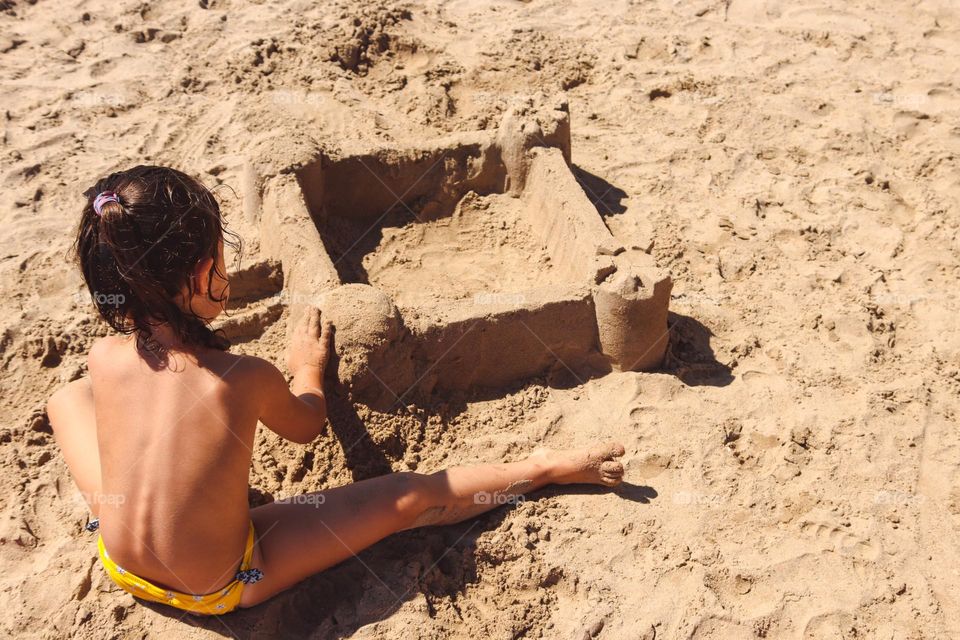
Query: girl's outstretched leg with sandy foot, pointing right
[302, 536]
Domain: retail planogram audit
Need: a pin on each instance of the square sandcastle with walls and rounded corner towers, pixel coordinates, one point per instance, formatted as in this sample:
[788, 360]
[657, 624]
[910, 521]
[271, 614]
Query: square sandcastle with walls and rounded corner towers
[537, 281]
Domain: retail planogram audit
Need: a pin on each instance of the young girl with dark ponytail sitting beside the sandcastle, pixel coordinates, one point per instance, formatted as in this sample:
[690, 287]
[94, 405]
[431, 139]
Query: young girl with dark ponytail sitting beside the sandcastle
[159, 436]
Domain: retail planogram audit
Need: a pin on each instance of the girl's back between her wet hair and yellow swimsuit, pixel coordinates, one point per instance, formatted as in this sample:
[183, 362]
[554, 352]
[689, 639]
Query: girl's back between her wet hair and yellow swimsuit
[175, 445]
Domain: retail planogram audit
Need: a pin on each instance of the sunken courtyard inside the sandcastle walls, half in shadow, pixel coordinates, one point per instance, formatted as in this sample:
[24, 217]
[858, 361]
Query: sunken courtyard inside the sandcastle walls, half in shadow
[396, 224]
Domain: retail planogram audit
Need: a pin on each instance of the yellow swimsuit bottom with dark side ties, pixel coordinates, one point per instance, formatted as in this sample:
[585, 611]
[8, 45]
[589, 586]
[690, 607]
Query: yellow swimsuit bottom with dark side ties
[222, 601]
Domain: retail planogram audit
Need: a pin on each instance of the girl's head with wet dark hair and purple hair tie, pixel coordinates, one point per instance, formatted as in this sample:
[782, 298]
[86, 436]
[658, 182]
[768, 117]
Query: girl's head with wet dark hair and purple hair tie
[150, 246]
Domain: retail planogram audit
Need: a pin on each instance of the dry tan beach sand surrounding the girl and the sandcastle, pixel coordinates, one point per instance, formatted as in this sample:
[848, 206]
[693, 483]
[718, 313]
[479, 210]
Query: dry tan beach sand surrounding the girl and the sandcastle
[794, 167]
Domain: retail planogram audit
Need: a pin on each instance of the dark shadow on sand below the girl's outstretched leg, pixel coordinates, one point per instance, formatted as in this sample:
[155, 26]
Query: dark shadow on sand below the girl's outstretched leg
[435, 564]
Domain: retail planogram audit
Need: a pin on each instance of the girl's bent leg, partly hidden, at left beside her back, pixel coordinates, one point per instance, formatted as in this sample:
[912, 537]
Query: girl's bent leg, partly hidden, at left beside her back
[74, 424]
